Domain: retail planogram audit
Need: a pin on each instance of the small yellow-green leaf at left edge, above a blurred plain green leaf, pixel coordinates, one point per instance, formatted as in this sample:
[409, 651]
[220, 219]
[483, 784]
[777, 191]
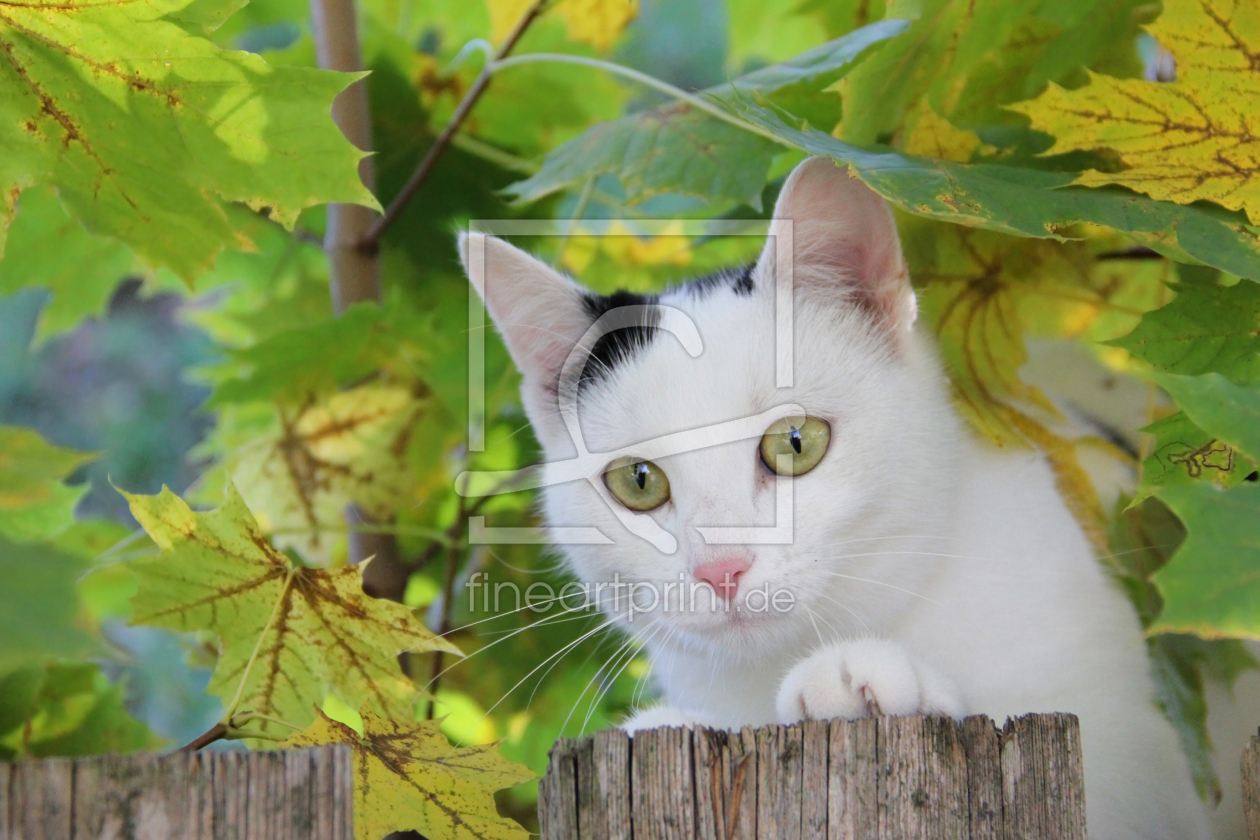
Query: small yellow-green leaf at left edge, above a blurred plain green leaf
[35, 504]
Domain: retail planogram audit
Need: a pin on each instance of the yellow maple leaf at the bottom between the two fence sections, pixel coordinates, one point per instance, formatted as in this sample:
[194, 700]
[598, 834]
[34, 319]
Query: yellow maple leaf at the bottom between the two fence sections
[408, 778]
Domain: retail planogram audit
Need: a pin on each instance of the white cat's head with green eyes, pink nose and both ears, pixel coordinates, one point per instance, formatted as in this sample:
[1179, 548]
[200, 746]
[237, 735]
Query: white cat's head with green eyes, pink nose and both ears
[668, 417]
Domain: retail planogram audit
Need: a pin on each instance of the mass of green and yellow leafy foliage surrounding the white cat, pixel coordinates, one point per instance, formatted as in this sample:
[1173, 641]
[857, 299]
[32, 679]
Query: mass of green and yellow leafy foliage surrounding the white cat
[138, 142]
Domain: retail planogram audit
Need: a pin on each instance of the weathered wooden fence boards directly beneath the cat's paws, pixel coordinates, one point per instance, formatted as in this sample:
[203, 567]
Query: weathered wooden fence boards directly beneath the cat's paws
[878, 779]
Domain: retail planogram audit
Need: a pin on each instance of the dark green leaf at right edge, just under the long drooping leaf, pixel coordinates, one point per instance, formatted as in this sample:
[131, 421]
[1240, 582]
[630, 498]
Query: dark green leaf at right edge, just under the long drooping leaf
[1205, 329]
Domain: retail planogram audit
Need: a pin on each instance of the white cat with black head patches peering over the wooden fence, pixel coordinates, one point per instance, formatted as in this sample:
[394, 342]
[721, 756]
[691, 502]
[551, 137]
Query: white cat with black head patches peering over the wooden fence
[928, 572]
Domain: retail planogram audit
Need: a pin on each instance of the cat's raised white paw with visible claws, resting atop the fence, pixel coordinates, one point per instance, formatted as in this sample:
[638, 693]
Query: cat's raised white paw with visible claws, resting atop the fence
[864, 678]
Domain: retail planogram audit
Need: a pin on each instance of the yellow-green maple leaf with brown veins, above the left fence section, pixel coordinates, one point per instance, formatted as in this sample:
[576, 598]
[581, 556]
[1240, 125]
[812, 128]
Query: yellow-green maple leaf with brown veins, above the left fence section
[289, 634]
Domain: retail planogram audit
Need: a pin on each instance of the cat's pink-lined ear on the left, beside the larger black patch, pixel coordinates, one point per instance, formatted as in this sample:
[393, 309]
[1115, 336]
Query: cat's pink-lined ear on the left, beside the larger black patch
[537, 310]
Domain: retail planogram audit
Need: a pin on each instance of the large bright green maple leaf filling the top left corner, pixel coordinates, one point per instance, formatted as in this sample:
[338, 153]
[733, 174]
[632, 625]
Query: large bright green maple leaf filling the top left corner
[146, 128]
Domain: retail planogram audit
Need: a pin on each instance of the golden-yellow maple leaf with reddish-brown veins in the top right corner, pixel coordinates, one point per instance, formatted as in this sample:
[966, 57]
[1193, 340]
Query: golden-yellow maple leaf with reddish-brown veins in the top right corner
[1196, 138]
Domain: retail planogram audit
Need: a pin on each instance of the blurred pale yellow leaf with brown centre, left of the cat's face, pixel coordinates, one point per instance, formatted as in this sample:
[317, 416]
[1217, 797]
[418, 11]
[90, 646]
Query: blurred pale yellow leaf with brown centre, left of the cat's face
[347, 449]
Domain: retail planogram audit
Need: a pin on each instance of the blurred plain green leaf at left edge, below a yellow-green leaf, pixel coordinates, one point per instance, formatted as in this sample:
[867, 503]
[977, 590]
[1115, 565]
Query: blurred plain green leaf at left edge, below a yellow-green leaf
[40, 610]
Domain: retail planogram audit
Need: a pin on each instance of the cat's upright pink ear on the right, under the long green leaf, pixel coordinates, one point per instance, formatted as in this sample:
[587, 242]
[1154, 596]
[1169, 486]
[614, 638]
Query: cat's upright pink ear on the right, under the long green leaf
[845, 242]
